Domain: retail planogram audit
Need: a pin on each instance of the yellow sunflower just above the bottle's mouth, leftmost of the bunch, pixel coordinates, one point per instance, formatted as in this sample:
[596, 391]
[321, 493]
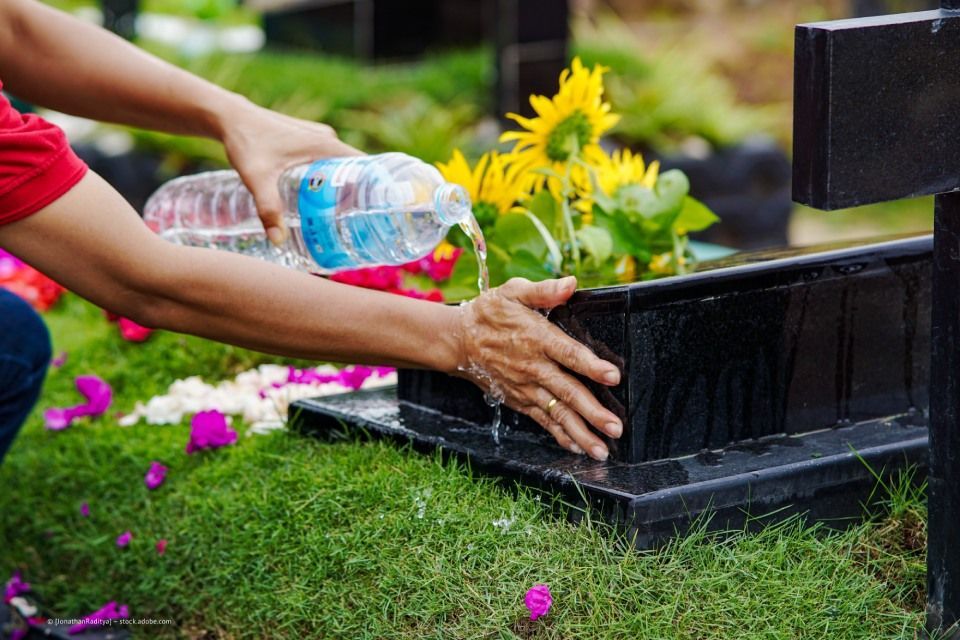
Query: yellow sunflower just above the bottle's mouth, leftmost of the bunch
[493, 184]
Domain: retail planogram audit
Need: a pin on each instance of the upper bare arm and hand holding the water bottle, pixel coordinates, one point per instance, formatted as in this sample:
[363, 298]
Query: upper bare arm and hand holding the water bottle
[57, 61]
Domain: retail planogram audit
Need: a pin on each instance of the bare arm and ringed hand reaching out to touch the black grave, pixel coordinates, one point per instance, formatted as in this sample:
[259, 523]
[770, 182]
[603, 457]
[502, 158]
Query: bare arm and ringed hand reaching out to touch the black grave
[91, 241]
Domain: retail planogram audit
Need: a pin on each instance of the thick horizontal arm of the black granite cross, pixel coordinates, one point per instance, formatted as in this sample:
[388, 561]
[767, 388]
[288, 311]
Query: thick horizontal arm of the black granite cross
[875, 109]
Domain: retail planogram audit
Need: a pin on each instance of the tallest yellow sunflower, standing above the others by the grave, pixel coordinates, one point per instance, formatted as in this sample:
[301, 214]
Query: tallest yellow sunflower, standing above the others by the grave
[573, 120]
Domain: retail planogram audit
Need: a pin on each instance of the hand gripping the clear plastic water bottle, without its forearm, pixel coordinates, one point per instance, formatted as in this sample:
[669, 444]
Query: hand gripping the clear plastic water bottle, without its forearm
[262, 144]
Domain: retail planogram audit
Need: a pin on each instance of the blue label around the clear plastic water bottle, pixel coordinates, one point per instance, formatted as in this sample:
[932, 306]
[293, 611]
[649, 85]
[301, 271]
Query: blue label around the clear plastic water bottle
[317, 203]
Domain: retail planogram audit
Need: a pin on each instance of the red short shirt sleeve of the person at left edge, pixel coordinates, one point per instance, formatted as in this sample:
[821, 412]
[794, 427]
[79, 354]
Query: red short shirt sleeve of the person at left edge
[37, 165]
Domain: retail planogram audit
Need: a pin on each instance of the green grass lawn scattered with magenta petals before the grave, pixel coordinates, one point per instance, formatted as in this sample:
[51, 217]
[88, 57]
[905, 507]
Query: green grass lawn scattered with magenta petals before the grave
[286, 537]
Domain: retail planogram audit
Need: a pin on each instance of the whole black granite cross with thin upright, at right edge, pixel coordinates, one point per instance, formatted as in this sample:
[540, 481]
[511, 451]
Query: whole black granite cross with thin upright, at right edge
[877, 118]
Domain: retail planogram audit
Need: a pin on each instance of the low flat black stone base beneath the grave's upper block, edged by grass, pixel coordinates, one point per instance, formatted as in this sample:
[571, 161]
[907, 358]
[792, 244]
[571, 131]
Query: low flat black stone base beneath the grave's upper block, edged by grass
[827, 475]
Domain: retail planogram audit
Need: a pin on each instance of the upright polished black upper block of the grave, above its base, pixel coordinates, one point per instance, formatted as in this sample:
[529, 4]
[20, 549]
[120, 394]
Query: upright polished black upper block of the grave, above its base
[762, 344]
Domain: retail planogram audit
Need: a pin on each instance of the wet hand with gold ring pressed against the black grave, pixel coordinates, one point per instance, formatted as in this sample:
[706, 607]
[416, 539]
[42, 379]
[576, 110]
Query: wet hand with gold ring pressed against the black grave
[516, 355]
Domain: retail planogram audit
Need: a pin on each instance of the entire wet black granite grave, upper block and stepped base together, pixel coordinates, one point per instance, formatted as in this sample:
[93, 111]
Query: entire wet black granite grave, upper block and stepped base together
[770, 384]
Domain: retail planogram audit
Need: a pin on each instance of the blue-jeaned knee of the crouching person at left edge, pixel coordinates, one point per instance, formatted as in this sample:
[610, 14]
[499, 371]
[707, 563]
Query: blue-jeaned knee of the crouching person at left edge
[24, 356]
